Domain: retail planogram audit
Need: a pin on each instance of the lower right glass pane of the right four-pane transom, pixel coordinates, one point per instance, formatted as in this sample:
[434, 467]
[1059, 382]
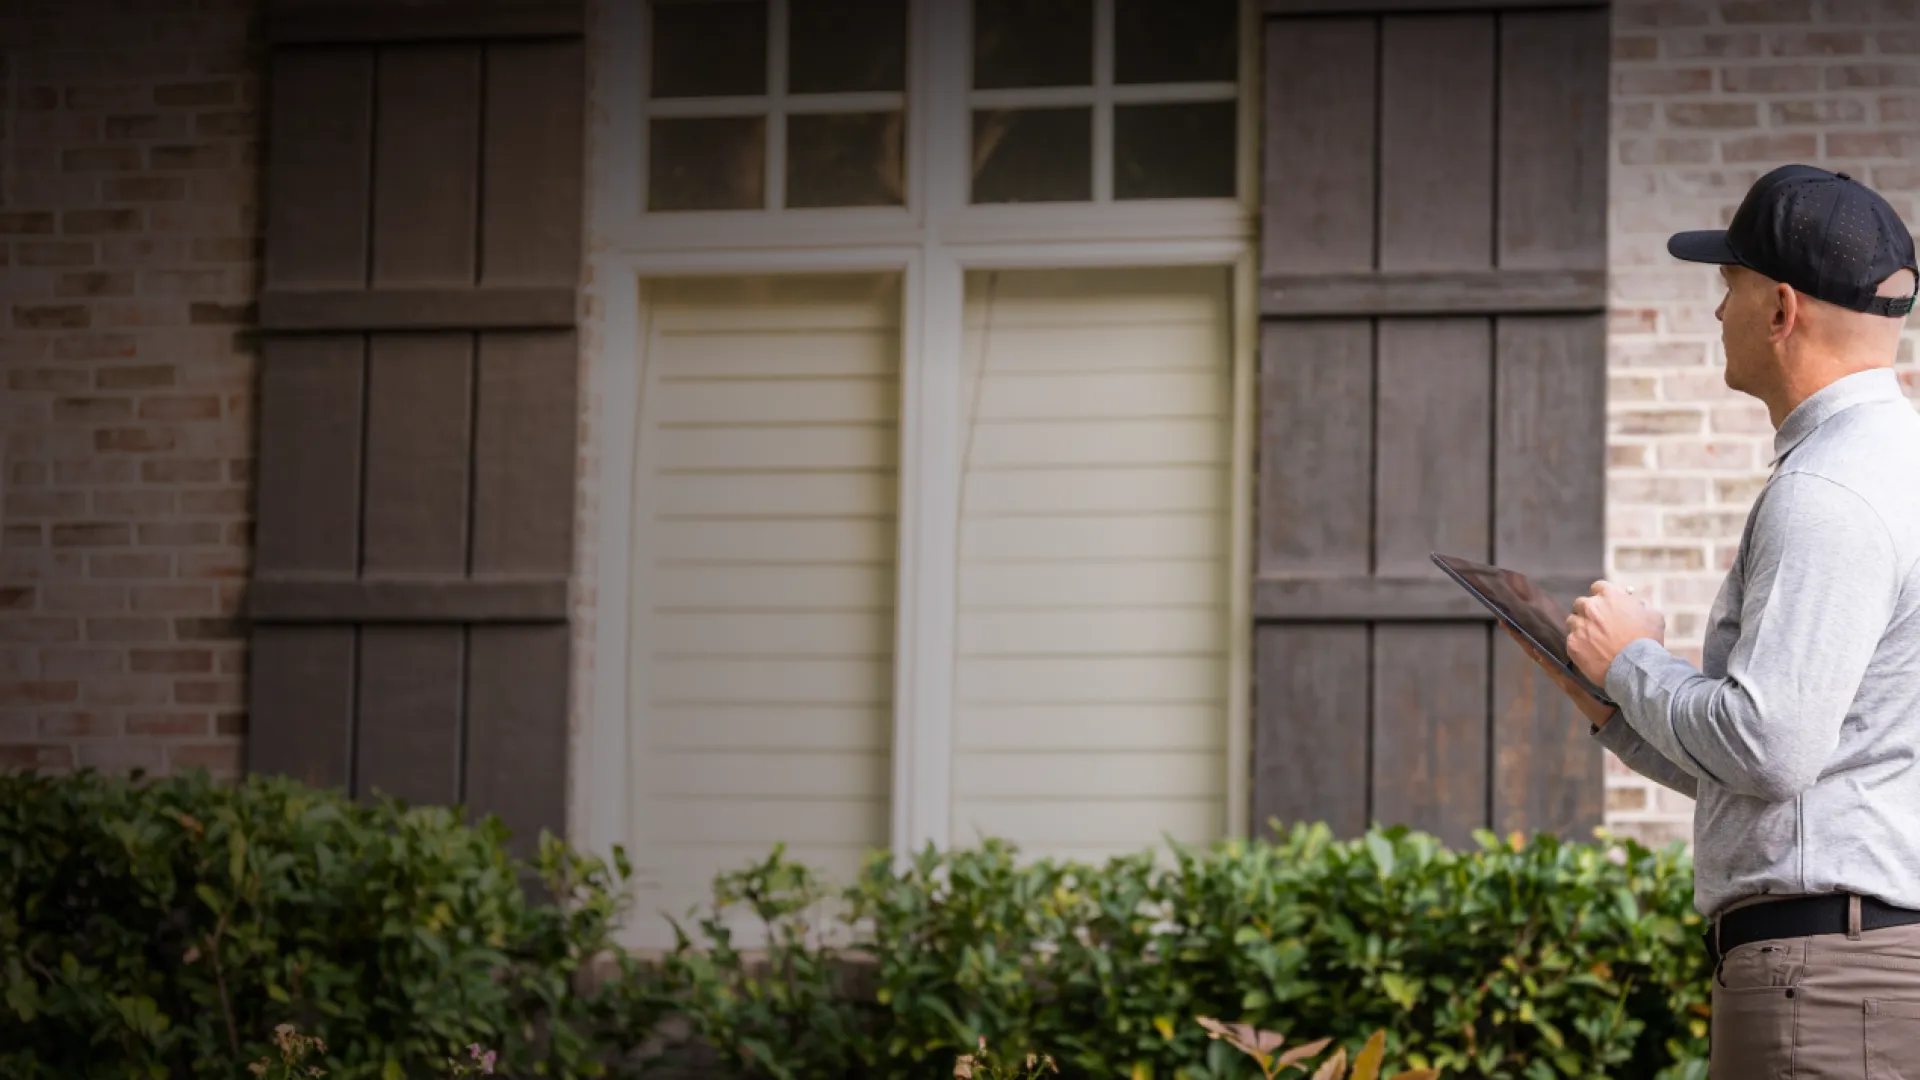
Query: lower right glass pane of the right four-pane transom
[1180, 151]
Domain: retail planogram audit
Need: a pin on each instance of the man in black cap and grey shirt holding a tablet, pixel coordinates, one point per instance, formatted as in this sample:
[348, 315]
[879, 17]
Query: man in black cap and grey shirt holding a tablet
[1800, 735]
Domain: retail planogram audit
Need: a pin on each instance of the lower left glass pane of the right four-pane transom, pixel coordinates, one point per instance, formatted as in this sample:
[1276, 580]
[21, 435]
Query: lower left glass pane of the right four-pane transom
[1034, 155]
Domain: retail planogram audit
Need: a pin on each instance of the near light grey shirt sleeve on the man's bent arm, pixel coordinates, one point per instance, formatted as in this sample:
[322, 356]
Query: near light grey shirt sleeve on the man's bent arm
[1819, 595]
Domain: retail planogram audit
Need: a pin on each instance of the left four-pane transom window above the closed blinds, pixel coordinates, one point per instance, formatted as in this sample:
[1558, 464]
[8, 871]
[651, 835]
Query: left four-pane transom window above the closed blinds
[767, 105]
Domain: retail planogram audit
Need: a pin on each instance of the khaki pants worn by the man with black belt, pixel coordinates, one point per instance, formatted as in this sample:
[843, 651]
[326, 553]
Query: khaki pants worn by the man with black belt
[1825, 1008]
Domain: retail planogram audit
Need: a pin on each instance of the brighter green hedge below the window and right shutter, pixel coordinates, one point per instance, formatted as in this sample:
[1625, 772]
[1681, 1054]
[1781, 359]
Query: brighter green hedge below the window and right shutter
[1524, 960]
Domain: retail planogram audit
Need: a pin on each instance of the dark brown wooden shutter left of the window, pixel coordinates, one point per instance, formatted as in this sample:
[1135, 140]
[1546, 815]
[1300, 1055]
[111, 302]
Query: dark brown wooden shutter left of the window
[418, 420]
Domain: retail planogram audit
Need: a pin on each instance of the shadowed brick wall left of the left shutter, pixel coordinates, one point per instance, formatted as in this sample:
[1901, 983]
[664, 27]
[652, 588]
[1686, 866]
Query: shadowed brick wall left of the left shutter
[130, 253]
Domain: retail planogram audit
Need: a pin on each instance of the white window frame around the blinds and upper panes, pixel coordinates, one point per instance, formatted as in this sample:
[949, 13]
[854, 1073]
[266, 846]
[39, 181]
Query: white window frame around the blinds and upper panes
[932, 245]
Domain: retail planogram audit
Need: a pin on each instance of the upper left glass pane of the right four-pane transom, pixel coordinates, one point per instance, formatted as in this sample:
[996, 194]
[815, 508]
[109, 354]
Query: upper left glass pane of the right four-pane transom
[1032, 43]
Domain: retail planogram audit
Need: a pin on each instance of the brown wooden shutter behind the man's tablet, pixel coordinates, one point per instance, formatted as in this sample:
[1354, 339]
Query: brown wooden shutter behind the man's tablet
[1433, 380]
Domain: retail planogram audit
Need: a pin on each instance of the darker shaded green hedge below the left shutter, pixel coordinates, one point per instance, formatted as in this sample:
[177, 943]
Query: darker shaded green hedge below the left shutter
[164, 929]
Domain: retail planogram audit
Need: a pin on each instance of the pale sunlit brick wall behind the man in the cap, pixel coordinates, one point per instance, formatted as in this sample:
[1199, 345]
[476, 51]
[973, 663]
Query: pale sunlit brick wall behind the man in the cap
[1708, 97]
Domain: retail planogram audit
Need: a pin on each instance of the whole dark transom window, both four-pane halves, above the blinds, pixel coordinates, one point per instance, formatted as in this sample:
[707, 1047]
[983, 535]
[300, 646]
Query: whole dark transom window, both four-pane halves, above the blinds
[804, 105]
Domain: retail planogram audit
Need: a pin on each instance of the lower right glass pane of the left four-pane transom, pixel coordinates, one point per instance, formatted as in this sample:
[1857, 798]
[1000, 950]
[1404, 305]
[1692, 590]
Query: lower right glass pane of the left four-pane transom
[846, 160]
